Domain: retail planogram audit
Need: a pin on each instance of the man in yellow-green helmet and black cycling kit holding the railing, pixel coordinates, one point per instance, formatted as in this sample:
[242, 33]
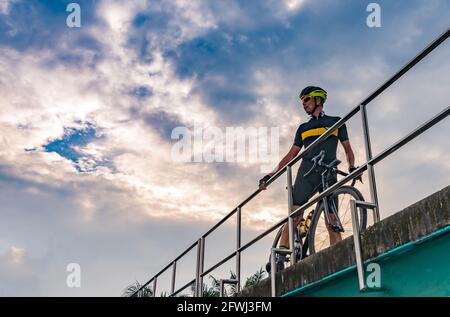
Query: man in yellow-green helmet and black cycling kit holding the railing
[312, 98]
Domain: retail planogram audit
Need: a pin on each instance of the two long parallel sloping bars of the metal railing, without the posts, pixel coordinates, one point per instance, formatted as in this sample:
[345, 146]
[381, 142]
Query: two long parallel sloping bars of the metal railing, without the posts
[371, 161]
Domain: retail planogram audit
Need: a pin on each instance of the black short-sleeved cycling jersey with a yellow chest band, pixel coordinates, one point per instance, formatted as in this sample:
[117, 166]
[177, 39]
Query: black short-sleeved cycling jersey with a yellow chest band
[314, 128]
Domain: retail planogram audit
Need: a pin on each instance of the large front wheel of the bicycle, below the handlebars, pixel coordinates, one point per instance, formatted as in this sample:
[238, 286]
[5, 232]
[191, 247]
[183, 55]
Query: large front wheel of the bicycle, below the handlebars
[318, 237]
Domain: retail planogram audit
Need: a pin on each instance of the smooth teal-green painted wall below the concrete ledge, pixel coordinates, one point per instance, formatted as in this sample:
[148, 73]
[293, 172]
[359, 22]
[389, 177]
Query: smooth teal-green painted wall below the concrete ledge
[418, 269]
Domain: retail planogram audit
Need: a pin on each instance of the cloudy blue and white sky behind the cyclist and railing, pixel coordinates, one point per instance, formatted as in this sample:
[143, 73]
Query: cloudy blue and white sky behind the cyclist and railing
[87, 115]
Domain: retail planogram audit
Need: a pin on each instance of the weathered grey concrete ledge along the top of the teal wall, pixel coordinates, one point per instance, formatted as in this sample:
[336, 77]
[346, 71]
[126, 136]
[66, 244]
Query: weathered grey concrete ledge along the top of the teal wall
[411, 224]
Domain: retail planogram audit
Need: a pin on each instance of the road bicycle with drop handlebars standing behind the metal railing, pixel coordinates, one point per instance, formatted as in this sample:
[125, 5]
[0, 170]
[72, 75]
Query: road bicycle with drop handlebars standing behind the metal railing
[313, 236]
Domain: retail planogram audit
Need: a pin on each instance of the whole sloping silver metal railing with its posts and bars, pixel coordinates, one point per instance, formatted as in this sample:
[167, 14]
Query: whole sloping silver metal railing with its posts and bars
[371, 161]
